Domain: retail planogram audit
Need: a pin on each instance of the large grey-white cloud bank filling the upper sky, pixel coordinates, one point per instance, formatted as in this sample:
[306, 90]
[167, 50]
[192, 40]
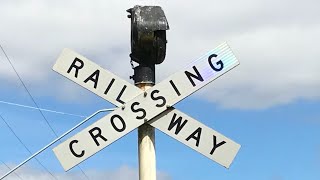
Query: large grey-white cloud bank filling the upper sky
[275, 41]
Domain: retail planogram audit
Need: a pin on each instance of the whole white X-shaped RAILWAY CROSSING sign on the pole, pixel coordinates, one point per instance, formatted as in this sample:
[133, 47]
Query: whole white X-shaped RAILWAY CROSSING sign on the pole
[153, 106]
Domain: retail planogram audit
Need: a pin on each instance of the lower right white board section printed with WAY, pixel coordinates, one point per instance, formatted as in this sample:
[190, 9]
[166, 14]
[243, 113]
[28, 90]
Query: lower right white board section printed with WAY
[197, 136]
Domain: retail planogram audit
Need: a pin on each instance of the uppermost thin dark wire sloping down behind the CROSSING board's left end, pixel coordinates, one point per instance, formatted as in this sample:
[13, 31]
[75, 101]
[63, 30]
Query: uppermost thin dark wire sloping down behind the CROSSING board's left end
[31, 97]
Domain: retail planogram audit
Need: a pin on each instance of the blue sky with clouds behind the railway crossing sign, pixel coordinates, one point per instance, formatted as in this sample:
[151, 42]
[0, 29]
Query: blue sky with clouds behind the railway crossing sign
[269, 104]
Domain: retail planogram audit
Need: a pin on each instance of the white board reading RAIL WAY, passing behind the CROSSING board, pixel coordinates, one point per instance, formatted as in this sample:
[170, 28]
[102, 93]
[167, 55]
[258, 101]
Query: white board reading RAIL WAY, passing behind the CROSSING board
[175, 117]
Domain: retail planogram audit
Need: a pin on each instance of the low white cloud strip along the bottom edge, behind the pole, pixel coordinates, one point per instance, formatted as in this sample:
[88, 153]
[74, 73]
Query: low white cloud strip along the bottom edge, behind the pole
[122, 173]
